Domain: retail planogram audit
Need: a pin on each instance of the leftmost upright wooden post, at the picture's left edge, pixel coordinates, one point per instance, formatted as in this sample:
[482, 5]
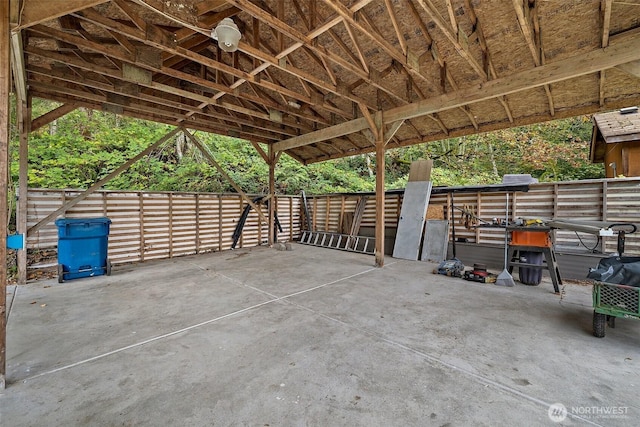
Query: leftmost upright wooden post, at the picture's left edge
[5, 82]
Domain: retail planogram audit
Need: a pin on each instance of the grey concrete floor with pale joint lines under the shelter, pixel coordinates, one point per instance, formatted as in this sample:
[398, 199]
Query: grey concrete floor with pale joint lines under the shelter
[313, 337]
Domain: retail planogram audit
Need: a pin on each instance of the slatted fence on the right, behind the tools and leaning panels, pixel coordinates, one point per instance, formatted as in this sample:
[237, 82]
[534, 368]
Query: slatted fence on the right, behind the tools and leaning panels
[592, 200]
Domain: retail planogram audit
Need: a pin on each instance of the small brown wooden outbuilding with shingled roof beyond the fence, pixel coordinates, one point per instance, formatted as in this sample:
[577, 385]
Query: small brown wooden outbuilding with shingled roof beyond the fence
[616, 142]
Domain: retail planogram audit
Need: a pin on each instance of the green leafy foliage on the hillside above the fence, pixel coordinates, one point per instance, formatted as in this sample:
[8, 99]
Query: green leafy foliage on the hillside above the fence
[80, 148]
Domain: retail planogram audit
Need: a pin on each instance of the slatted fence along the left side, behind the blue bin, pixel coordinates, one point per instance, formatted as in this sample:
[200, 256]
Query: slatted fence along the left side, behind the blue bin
[152, 225]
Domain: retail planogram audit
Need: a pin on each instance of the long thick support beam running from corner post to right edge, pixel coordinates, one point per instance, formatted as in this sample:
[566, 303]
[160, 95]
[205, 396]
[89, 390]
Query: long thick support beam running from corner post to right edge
[623, 51]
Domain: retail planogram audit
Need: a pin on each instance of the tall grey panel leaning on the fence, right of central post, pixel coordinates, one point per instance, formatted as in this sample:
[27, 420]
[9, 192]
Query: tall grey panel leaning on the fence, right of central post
[411, 221]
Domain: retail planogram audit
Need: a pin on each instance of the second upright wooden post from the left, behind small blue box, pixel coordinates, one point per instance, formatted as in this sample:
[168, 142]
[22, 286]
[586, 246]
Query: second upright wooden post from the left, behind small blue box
[23, 111]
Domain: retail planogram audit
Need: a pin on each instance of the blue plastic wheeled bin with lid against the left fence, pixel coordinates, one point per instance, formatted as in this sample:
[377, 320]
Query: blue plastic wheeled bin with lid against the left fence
[82, 247]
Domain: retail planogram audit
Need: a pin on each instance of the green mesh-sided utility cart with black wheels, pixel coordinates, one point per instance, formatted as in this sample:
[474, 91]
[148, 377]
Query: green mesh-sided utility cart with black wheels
[611, 301]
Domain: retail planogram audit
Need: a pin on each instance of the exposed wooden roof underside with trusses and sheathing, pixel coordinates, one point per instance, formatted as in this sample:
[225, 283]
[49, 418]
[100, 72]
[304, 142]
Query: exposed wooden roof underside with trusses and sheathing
[309, 75]
